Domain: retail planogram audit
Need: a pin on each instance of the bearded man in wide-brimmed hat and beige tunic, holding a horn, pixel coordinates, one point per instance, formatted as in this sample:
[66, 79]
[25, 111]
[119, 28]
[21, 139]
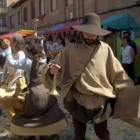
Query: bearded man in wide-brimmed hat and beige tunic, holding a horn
[90, 76]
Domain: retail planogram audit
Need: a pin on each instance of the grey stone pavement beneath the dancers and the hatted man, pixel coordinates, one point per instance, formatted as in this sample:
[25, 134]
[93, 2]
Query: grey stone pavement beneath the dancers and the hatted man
[119, 130]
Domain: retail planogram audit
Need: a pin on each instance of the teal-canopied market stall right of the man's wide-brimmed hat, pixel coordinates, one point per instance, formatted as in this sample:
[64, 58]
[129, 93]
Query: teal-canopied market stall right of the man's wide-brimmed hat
[117, 23]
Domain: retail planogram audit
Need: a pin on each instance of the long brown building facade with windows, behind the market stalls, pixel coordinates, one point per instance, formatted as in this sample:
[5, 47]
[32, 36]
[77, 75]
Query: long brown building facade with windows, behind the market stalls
[22, 13]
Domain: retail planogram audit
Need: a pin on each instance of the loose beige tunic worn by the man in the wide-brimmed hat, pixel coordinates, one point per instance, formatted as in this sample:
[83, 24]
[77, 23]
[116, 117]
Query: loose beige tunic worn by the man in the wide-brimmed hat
[102, 78]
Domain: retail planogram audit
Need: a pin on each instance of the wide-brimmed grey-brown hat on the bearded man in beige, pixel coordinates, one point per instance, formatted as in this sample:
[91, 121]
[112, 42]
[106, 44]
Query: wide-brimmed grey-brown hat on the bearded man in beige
[91, 24]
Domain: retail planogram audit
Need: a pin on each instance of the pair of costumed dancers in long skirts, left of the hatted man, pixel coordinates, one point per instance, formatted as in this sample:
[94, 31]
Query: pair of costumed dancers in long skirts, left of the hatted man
[27, 102]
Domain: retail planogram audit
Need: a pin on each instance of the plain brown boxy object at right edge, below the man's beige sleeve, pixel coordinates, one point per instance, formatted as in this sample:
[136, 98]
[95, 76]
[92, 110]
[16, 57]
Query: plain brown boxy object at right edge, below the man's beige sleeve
[127, 103]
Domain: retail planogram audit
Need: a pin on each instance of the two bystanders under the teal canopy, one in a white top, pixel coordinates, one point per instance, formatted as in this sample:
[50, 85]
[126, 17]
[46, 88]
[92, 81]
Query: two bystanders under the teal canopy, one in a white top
[129, 53]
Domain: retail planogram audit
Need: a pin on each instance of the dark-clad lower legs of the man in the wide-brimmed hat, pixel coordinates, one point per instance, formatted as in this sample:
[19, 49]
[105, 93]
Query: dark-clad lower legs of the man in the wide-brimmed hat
[100, 130]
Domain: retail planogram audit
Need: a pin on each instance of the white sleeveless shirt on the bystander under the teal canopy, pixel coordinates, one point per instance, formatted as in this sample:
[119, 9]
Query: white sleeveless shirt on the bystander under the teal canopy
[126, 55]
